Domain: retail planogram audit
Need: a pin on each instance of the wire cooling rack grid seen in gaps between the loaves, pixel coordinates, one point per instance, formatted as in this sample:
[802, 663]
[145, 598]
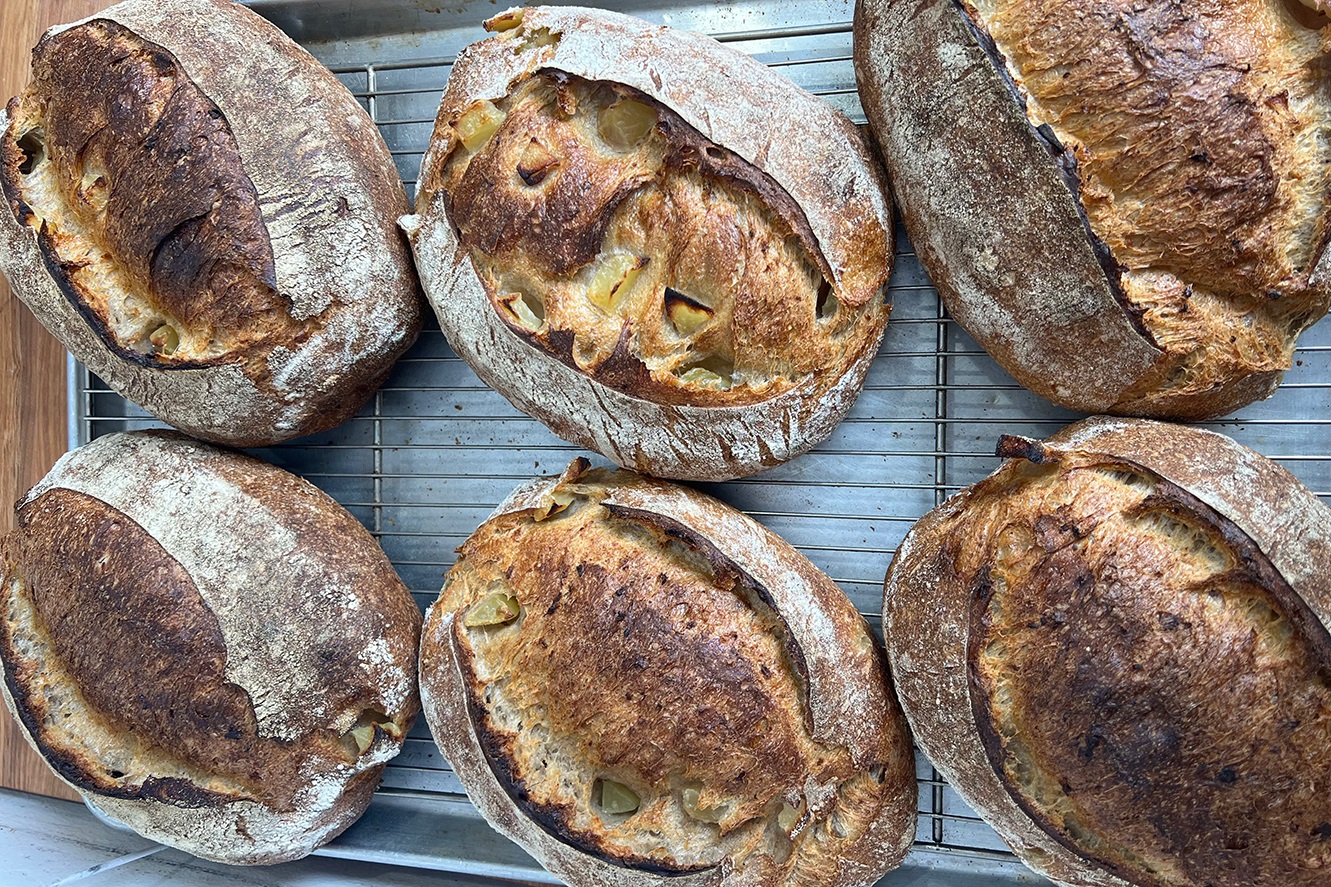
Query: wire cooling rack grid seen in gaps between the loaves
[431, 456]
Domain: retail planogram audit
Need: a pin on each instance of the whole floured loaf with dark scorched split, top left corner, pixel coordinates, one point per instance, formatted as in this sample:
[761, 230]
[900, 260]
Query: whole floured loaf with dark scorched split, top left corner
[207, 219]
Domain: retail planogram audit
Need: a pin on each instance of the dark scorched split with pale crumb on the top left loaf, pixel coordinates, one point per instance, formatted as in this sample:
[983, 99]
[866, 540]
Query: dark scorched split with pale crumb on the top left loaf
[146, 216]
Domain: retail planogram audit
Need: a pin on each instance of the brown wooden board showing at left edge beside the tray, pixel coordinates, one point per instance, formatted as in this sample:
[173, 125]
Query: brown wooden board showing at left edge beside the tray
[33, 372]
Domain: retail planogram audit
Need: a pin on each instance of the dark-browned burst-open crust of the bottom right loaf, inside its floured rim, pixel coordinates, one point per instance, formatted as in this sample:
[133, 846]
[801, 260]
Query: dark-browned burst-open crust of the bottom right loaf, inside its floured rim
[1148, 688]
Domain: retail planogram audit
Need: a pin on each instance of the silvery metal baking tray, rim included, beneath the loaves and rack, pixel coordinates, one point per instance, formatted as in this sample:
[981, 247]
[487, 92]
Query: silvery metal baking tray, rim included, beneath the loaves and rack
[436, 451]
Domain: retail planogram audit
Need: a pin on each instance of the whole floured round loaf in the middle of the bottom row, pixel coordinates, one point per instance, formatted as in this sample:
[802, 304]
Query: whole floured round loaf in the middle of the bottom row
[644, 687]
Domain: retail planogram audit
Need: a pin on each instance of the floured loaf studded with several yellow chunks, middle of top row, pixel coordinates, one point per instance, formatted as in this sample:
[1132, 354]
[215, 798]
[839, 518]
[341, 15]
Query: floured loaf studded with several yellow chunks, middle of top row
[652, 243]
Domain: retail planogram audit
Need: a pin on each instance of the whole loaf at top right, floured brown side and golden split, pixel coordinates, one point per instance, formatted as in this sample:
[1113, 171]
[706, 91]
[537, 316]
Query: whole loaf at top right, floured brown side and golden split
[1124, 203]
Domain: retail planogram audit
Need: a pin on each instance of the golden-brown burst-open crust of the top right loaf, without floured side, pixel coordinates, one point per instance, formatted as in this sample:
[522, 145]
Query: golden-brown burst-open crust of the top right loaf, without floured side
[1195, 143]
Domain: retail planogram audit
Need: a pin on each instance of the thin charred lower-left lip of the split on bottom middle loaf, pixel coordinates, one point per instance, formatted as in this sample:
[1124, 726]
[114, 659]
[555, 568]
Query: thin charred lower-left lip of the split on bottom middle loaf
[554, 820]
